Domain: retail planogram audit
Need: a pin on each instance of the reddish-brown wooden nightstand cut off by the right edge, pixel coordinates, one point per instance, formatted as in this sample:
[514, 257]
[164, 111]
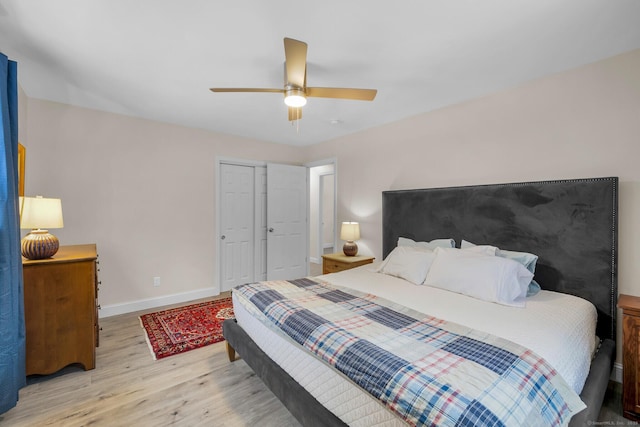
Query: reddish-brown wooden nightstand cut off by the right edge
[630, 306]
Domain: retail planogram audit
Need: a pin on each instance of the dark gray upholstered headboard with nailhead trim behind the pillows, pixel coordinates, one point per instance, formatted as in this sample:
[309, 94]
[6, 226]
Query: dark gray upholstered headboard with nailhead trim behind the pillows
[570, 224]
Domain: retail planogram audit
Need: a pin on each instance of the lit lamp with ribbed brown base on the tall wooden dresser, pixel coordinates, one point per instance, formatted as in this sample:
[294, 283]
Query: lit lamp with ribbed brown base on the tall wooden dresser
[39, 214]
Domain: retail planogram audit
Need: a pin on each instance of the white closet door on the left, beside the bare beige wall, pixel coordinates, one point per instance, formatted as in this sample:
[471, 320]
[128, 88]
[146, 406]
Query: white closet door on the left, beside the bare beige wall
[237, 247]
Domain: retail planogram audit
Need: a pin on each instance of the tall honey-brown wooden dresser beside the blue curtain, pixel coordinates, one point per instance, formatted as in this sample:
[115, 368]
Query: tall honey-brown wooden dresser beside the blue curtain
[61, 309]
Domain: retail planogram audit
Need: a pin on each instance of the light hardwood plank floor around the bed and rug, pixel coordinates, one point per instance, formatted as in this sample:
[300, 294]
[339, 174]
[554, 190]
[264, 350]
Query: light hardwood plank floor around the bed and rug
[197, 388]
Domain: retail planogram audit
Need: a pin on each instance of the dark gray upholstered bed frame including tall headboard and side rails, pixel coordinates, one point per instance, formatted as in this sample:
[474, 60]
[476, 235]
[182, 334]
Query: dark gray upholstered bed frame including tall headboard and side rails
[570, 224]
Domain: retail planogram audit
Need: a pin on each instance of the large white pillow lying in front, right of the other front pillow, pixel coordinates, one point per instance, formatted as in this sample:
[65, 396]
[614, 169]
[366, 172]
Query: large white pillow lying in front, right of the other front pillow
[488, 278]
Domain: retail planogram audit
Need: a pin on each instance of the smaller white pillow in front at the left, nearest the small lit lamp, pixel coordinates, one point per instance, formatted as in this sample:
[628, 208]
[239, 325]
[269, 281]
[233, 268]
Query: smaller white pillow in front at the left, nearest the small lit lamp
[408, 263]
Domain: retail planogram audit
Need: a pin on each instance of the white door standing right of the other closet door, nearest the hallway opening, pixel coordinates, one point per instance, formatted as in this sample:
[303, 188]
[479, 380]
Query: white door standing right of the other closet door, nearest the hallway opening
[287, 222]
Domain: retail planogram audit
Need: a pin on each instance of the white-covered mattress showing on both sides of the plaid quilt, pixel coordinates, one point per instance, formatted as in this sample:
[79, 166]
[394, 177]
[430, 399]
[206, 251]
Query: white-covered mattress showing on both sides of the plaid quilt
[559, 327]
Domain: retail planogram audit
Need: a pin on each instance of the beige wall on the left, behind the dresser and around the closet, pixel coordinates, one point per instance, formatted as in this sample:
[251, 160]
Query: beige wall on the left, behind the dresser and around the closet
[142, 191]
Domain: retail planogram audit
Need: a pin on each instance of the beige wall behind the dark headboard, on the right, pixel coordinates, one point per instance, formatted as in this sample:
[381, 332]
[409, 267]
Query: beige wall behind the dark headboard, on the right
[581, 123]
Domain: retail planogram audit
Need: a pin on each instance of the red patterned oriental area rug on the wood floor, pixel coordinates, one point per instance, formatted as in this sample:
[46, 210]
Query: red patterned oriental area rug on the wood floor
[186, 328]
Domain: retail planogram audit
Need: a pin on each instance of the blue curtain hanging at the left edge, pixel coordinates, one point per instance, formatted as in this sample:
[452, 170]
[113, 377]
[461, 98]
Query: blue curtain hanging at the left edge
[12, 334]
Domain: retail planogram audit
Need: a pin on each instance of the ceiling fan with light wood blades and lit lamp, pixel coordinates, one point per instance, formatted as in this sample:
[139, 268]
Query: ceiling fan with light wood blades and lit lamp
[295, 83]
